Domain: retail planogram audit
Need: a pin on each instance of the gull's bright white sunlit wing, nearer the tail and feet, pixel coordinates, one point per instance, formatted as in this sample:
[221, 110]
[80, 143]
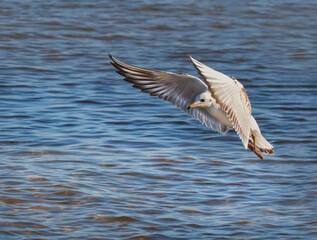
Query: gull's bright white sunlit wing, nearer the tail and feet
[231, 96]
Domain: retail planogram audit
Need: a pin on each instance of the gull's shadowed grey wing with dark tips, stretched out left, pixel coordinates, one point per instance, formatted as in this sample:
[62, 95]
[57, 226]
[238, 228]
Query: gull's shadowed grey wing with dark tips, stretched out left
[179, 89]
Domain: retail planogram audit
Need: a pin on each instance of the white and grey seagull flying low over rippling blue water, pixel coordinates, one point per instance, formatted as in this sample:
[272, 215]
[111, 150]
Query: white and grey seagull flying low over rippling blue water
[218, 101]
